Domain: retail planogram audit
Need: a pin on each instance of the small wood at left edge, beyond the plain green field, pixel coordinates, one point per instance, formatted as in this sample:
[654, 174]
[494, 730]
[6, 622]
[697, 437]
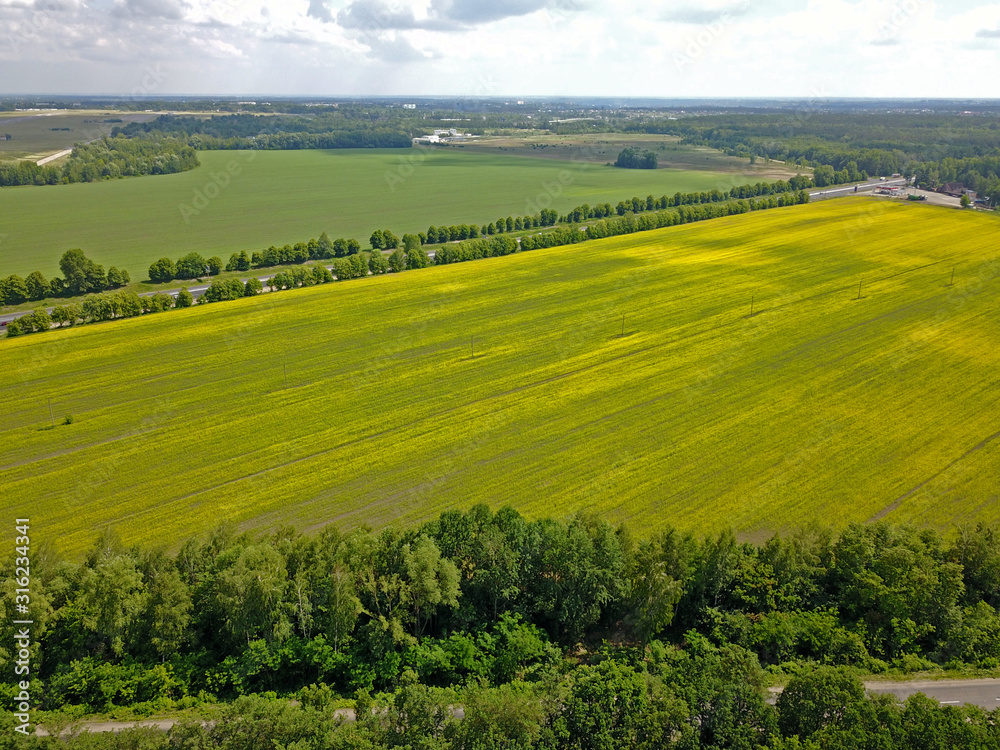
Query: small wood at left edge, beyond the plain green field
[105, 159]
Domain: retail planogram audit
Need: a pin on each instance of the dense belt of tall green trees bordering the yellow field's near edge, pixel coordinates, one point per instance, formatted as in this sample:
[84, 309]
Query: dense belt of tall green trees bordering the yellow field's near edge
[490, 599]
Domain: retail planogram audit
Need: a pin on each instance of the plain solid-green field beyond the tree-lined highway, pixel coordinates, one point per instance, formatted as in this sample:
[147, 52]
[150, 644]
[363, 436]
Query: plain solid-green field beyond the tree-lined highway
[283, 197]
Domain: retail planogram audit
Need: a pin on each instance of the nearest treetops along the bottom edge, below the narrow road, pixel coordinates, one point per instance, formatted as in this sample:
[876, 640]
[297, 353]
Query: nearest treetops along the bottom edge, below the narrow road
[700, 698]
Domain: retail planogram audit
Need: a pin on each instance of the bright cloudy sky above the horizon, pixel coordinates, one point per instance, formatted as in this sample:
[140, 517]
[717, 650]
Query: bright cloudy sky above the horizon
[469, 48]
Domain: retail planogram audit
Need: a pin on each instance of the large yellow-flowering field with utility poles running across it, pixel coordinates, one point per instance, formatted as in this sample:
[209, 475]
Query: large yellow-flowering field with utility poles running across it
[821, 408]
